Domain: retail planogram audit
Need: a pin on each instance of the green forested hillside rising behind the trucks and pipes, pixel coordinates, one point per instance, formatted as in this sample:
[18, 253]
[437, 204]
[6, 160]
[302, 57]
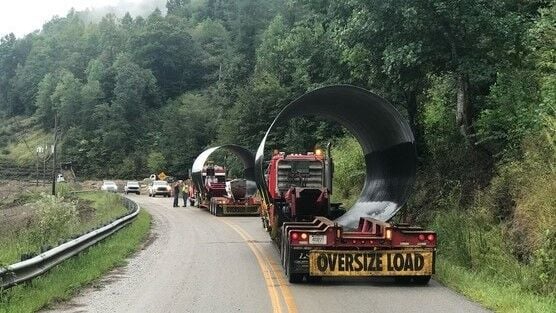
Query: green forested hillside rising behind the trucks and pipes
[476, 80]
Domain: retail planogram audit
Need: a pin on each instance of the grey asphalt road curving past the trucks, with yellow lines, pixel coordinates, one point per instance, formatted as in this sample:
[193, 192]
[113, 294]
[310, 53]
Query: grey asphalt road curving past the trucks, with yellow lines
[196, 262]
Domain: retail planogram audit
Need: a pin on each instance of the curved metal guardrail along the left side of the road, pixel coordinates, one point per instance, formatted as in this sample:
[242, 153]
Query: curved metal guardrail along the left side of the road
[38, 265]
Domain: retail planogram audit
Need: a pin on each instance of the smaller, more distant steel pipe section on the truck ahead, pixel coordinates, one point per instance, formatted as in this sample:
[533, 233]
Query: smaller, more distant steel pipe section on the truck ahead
[243, 154]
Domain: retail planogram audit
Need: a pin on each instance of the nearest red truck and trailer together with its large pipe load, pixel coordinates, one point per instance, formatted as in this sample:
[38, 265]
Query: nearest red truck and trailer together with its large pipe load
[316, 237]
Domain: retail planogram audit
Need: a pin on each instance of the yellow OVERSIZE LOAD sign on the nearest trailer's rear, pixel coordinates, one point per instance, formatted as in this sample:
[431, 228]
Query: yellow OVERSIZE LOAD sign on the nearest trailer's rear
[370, 263]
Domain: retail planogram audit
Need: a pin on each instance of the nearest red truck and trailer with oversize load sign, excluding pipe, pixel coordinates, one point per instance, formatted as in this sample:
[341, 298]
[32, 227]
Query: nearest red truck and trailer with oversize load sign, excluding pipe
[312, 245]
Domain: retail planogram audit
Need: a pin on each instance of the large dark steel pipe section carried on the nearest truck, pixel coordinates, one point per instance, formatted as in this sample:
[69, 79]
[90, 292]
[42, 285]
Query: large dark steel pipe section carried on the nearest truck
[384, 135]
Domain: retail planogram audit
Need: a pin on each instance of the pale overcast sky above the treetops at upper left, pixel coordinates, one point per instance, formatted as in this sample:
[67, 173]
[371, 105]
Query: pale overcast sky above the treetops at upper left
[24, 16]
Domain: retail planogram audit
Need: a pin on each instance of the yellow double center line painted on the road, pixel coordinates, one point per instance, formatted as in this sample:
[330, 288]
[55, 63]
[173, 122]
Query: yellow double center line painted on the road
[272, 273]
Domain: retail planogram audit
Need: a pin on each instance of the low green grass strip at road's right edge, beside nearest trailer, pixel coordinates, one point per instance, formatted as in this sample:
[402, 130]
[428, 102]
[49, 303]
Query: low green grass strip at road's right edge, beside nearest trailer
[493, 292]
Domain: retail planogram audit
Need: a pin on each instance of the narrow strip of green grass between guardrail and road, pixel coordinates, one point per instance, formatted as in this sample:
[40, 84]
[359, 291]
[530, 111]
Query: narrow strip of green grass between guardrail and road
[64, 280]
